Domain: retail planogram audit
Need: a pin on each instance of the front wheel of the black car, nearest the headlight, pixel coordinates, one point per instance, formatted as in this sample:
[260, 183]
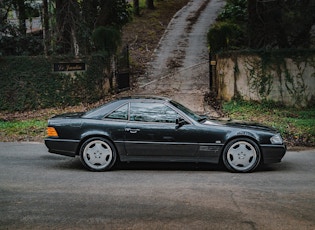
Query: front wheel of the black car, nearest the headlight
[241, 155]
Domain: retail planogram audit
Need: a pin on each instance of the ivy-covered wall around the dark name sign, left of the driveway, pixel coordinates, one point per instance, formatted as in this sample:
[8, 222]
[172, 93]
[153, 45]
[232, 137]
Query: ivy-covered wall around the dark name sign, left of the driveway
[28, 83]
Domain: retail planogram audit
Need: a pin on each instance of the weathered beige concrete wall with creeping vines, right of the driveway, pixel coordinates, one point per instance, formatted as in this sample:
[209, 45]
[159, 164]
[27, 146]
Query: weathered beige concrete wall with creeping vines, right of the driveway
[282, 77]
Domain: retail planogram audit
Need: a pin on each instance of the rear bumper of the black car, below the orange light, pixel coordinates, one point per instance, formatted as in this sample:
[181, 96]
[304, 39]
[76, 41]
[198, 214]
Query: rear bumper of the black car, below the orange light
[62, 147]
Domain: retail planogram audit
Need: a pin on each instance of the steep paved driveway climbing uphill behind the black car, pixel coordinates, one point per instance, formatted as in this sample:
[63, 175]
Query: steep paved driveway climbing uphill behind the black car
[180, 67]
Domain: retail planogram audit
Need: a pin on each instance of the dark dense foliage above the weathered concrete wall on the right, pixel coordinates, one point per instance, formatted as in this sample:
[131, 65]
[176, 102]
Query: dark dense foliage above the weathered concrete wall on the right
[271, 24]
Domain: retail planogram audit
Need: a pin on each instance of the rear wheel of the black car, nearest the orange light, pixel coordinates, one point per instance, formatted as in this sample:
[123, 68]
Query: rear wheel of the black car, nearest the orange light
[98, 154]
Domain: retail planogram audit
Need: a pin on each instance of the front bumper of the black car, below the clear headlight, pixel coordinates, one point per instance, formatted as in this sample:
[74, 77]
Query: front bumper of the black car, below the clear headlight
[273, 153]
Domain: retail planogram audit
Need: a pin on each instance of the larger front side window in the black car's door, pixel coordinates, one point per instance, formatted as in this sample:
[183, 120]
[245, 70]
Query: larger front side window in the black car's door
[152, 112]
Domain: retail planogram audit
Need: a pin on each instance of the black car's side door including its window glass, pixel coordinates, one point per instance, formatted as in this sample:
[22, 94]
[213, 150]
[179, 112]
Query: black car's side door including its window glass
[152, 131]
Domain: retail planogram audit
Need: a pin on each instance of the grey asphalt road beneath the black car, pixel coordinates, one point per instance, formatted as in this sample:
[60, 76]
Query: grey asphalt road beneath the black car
[39, 190]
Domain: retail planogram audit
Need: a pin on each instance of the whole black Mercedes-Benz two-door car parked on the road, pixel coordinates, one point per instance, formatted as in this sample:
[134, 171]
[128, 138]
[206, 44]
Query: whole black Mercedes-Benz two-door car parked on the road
[161, 130]
